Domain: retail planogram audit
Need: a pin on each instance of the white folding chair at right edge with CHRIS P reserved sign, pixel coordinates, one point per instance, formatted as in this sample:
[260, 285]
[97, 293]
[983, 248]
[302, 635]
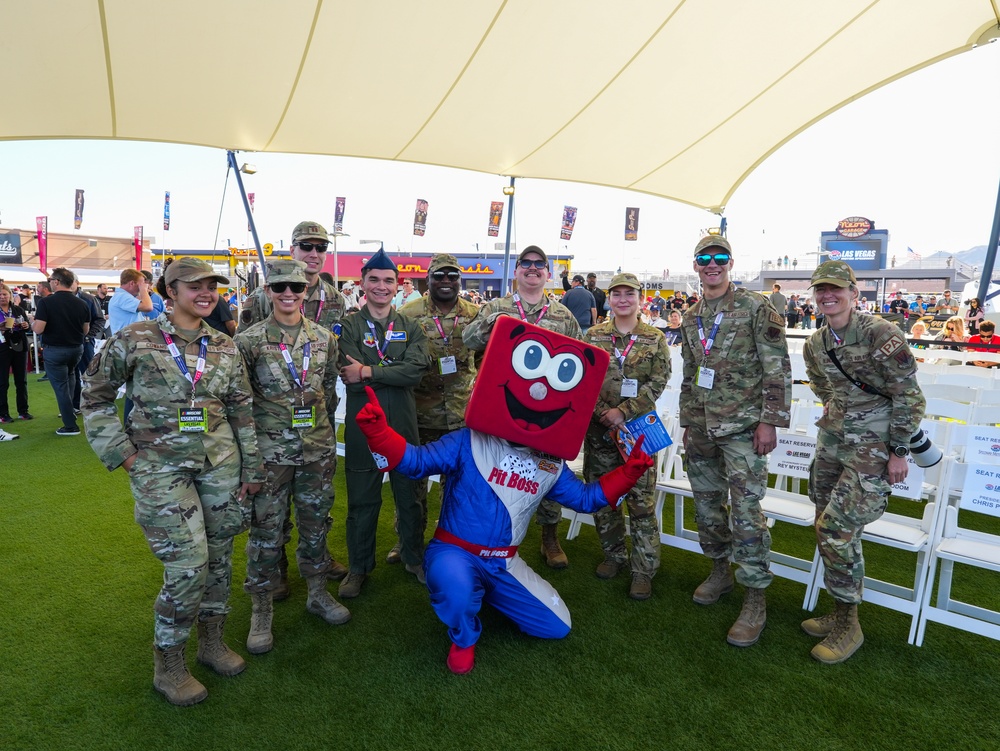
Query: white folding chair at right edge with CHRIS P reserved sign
[957, 543]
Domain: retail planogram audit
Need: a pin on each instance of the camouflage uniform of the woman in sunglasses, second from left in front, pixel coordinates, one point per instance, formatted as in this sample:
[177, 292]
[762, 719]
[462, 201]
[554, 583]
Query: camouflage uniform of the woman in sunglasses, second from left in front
[299, 461]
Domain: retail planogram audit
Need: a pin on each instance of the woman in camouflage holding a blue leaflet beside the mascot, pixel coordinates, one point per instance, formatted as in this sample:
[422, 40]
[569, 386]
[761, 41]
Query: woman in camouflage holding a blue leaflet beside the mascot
[638, 375]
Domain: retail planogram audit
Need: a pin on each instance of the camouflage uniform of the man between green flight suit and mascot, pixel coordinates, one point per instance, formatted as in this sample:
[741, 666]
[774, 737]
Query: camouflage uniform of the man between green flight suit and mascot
[441, 399]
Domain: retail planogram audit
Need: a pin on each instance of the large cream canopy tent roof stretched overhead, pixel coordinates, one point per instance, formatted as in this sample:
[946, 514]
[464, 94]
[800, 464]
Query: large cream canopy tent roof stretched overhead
[677, 98]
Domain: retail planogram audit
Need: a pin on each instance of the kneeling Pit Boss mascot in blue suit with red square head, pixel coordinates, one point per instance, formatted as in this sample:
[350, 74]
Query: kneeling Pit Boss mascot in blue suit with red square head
[529, 411]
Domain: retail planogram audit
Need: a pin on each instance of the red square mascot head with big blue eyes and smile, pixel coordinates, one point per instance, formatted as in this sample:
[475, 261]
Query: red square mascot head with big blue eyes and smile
[537, 388]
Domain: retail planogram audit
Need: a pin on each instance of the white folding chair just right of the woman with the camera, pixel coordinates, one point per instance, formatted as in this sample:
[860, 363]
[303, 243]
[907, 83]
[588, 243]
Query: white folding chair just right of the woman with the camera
[907, 533]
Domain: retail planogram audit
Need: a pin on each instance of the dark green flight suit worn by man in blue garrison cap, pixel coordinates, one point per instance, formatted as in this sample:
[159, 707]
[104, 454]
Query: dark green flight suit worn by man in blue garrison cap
[394, 382]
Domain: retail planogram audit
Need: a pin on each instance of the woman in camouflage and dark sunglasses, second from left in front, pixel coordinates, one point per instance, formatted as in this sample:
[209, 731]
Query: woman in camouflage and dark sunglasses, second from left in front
[292, 366]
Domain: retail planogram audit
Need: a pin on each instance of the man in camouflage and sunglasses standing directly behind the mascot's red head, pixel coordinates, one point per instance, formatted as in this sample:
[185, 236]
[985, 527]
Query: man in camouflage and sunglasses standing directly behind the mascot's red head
[531, 304]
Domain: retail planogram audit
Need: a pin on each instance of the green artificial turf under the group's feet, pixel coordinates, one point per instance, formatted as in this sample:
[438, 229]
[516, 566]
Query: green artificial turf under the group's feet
[78, 584]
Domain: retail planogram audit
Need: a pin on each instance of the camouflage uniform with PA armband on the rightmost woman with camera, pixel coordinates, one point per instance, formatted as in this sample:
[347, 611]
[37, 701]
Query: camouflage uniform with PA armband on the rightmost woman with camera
[848, 480]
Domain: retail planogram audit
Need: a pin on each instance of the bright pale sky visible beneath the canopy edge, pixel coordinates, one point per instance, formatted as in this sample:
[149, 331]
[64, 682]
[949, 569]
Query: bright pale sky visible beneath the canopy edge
[920, 157]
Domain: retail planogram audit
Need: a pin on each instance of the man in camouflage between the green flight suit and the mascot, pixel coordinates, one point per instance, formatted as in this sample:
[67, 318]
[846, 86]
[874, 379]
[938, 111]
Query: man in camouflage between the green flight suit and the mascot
[444, 390]
